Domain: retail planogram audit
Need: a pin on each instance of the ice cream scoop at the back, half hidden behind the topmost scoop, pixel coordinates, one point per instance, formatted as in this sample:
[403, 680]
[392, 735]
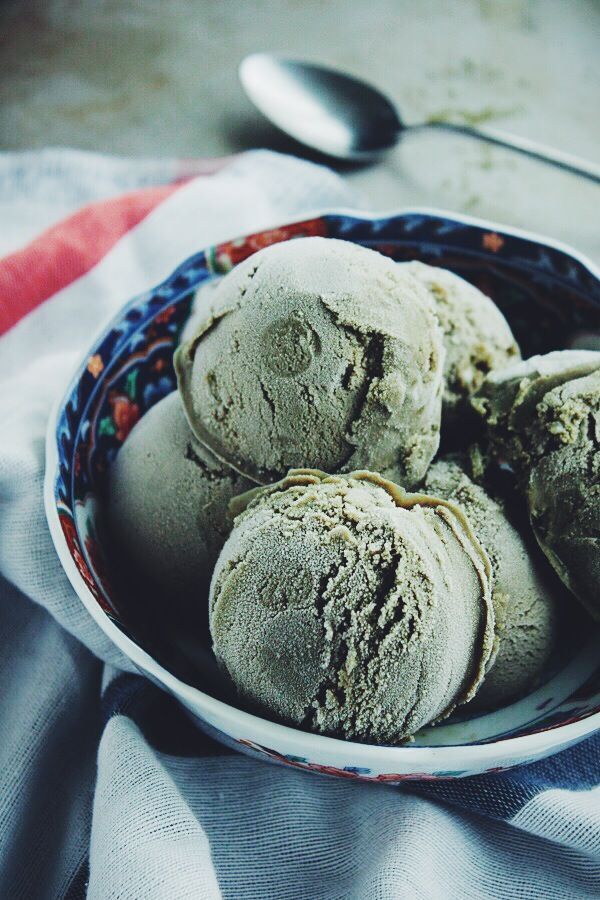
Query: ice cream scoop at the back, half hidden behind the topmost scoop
[477, 337]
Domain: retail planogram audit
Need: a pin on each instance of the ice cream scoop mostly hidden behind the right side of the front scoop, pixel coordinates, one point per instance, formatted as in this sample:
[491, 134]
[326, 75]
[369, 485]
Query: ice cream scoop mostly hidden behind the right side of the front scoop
[526, 601]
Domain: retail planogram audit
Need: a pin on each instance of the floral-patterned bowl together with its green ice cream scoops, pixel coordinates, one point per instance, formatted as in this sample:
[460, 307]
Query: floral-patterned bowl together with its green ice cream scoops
[454, 719]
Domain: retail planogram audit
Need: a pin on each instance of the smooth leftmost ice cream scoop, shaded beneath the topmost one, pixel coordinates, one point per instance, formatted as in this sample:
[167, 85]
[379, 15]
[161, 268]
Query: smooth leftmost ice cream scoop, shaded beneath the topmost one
[168, 500]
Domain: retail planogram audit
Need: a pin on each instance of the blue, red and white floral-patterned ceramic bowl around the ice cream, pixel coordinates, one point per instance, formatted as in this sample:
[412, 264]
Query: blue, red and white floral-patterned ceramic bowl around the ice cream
[551, 297]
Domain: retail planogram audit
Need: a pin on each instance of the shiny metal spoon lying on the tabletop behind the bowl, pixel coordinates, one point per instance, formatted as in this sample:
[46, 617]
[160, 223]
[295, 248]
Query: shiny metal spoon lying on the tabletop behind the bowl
[346, 118]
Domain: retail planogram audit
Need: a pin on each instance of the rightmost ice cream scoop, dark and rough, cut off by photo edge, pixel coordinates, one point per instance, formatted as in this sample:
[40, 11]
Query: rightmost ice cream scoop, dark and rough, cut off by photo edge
[543, 417]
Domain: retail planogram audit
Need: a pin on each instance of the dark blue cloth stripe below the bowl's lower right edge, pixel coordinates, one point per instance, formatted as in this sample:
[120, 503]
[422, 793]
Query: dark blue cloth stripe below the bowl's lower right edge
[502, 794]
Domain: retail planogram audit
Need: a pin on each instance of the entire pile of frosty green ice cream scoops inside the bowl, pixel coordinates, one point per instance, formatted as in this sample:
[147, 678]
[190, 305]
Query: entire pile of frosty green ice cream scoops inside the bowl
[339, 602]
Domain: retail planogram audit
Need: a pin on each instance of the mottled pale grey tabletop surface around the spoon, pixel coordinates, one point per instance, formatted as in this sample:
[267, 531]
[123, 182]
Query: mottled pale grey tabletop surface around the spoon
[159, 78]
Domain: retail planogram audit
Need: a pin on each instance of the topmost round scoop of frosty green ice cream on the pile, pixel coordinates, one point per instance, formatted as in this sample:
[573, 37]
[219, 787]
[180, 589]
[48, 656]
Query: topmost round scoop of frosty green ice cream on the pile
[319, 353]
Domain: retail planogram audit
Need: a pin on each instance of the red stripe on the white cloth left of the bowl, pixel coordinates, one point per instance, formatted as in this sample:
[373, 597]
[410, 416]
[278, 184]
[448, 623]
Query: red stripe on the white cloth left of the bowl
[68, 250]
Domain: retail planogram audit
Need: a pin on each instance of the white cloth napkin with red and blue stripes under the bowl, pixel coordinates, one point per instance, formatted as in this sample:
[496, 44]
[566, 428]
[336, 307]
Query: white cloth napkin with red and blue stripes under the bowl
[106, 789]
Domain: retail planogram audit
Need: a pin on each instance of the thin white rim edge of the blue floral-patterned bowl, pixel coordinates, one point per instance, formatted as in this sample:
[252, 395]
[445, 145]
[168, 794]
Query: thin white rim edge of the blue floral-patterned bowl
[263, 730]
